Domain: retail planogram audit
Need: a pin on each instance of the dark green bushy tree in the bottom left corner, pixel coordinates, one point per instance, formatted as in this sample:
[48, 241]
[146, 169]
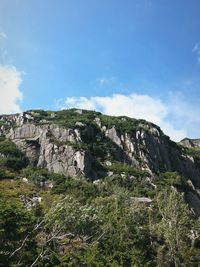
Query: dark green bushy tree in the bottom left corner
[16, 224]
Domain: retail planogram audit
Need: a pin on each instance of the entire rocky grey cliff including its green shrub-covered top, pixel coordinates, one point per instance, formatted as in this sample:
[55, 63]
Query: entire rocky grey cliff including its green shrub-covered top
[79, 142]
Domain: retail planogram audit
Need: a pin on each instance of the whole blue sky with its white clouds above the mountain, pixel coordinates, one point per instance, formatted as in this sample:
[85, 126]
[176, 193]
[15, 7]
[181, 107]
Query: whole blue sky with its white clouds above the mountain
[139, 58]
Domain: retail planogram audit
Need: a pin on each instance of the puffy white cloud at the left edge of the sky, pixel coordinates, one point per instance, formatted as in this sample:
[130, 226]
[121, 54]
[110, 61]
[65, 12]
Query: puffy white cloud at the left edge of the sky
[10, 94]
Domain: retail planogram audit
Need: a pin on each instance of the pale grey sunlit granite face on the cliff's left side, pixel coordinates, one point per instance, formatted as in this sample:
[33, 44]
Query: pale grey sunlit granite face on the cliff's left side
[50, 146]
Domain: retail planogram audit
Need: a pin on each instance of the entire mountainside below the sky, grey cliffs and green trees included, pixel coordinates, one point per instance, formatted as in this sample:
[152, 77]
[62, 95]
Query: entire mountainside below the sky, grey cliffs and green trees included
[79, 188]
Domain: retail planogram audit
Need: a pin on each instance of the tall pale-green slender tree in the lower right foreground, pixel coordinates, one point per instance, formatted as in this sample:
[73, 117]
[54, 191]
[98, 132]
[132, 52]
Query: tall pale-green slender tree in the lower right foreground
[173, 230]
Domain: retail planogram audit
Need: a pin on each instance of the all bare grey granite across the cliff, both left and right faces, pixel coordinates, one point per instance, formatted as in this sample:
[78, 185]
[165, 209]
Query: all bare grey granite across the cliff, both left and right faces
[60, 149]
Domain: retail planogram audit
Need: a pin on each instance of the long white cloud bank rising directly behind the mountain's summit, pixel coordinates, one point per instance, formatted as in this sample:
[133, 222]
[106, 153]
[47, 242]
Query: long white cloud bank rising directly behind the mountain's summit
[135, 105]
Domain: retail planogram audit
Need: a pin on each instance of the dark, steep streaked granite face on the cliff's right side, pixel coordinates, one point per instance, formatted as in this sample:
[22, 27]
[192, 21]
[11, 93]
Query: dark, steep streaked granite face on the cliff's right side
[153, 151]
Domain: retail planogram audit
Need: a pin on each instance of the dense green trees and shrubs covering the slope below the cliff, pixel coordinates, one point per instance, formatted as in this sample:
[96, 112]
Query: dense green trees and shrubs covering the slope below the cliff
[80, 223]
